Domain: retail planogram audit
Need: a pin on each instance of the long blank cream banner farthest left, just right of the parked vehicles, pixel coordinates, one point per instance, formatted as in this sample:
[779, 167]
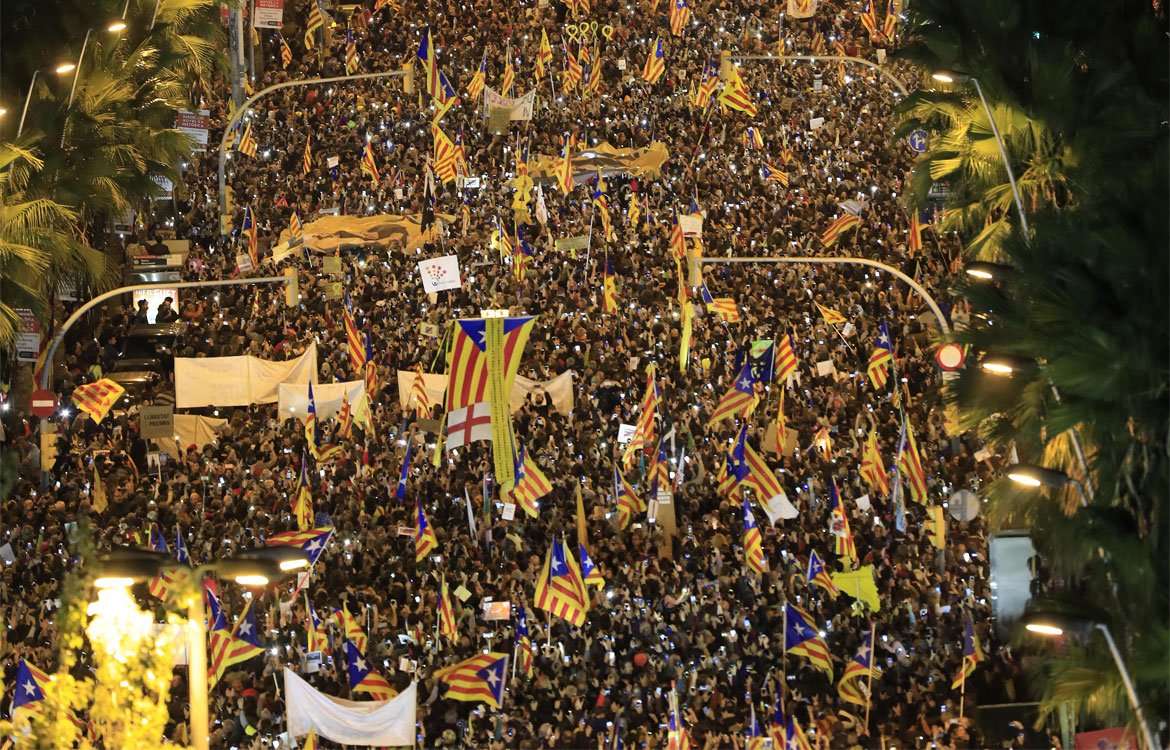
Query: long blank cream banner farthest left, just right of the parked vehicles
[238, 381]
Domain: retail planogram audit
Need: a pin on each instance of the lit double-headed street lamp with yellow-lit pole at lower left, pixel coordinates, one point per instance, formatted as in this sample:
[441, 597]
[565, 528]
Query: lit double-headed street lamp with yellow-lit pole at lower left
[251, 568]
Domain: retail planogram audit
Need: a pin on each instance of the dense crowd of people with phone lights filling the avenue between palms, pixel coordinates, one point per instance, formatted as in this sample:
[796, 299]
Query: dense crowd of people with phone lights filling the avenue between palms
[683, 614]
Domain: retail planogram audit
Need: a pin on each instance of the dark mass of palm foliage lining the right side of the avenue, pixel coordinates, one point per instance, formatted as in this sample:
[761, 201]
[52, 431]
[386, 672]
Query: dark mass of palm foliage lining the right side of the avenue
[1079, 95]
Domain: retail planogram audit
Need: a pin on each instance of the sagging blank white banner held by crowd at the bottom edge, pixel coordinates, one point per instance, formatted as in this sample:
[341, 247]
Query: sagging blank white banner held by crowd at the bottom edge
[376, 724]
